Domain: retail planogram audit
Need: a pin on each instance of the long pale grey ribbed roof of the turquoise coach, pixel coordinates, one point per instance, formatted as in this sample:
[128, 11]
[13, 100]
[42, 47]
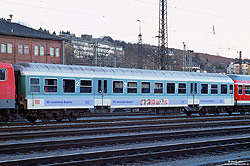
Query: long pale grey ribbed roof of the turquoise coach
[123, 73]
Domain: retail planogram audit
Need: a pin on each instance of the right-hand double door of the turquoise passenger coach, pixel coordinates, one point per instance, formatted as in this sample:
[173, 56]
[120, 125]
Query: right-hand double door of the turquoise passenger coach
[193, 97]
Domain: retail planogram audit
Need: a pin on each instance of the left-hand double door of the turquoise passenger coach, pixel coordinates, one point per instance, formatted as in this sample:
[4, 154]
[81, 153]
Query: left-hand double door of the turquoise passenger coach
[102, 92]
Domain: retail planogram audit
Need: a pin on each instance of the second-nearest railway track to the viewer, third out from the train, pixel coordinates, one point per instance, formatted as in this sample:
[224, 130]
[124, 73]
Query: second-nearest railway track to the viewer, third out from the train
[107, 140]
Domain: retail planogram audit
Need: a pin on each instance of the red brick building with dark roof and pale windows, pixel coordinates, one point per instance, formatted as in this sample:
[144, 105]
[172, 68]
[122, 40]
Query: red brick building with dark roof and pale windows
[19, 44]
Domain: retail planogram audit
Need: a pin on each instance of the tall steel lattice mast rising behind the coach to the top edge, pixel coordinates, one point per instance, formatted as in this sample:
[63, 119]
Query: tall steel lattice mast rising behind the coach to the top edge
[163, 35]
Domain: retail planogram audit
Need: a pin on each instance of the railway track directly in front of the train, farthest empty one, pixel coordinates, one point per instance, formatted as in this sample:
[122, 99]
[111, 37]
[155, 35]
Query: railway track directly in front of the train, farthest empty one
[115, 122]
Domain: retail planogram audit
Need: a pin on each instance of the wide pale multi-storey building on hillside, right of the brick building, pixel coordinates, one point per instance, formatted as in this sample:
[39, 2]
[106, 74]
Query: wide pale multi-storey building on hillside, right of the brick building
[92, 51]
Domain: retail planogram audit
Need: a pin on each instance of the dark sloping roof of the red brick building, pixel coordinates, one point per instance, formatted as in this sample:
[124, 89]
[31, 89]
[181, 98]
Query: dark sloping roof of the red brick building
[14, 29]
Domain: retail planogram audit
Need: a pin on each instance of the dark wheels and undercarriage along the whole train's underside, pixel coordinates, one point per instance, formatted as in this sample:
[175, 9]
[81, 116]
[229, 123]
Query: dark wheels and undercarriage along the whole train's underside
[72, 114]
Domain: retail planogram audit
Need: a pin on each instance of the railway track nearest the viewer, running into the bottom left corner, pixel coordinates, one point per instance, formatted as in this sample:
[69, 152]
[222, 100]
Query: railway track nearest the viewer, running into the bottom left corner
[127, 155]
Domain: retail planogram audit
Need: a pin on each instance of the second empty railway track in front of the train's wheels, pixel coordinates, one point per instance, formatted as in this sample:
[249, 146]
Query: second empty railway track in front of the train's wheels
[141, 128]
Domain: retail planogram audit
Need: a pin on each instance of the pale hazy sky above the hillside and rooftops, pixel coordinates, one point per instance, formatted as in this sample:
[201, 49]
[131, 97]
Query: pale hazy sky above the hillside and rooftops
[217, 27]
